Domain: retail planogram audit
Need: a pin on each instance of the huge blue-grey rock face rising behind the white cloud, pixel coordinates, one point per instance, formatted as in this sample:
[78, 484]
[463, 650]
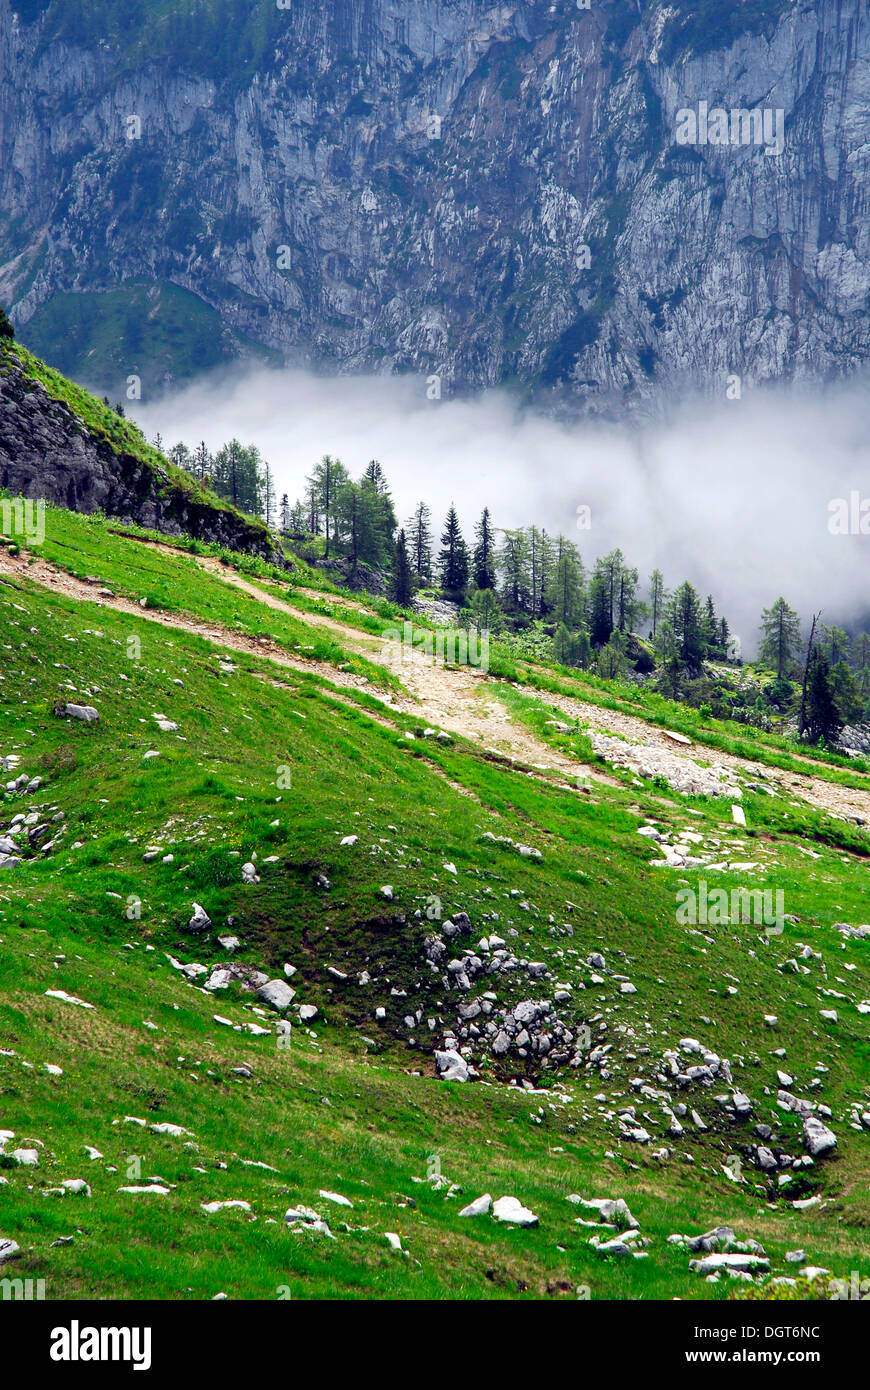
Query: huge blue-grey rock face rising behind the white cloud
[454, 188]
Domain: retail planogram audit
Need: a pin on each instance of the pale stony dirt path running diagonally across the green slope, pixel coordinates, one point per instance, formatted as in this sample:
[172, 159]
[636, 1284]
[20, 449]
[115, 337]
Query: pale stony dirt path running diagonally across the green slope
[459, 700]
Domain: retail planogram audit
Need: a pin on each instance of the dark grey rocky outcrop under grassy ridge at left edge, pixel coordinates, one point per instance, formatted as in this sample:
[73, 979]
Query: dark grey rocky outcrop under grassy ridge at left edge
[47, 452]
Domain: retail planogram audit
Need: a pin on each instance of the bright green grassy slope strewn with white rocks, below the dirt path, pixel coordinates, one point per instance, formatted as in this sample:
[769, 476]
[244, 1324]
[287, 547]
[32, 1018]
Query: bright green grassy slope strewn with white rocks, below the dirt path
[334, 1111]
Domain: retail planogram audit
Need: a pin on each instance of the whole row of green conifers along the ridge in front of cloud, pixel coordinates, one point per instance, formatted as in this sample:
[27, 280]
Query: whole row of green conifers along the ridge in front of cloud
[515, 580]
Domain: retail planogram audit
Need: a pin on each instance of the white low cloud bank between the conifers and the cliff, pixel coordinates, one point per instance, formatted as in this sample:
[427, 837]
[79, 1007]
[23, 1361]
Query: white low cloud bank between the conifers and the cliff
[733, 498]
